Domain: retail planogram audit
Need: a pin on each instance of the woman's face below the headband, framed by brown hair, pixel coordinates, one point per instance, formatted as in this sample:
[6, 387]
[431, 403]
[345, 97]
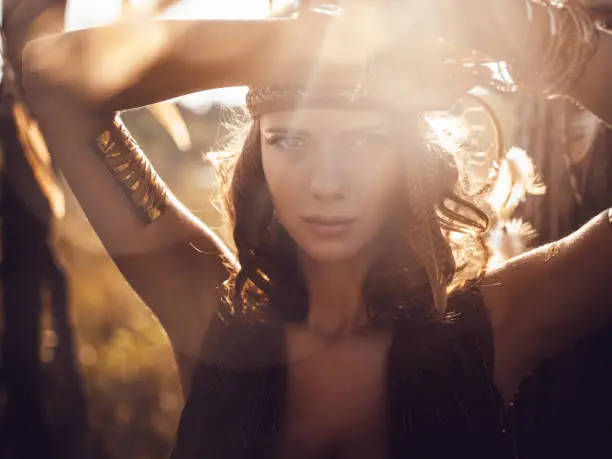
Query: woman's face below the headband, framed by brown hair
[333, 175]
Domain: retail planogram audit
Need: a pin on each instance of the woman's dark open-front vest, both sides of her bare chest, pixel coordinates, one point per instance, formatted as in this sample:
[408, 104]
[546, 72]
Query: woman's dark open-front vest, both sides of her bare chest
[441, 401]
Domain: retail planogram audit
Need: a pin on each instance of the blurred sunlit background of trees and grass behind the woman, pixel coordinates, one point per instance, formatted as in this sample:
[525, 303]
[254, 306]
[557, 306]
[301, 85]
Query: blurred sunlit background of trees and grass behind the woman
[86, 370]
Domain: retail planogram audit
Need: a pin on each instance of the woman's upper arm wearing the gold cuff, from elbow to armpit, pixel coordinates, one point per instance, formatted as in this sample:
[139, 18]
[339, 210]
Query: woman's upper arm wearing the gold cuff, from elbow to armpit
[172, 260]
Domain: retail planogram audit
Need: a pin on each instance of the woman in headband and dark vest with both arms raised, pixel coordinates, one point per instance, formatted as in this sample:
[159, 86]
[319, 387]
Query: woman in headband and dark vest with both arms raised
[334, 335]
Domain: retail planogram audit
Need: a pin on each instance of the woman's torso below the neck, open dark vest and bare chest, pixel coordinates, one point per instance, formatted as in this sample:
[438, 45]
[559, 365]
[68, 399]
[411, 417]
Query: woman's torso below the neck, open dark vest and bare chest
[395, 392]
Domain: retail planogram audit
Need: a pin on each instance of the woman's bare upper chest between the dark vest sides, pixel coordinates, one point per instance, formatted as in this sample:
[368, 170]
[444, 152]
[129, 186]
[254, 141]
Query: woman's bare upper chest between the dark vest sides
[336, 392]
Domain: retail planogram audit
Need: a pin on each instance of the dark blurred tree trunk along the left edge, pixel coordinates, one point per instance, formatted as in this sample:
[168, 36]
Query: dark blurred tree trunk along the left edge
[45, 415]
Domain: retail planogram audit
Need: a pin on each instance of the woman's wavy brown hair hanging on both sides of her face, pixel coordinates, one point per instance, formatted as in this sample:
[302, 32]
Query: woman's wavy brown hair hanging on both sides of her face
[434, 238]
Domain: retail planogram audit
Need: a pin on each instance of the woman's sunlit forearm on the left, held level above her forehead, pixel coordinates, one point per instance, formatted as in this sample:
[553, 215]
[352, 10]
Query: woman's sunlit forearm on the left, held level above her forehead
[130, 65]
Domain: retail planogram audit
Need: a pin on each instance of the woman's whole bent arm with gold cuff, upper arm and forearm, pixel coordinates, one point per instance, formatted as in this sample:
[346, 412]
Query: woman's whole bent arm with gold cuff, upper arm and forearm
[75, 83]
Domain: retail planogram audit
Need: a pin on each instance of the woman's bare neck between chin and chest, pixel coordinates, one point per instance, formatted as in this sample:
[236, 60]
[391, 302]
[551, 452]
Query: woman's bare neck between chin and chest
[336, 305]
